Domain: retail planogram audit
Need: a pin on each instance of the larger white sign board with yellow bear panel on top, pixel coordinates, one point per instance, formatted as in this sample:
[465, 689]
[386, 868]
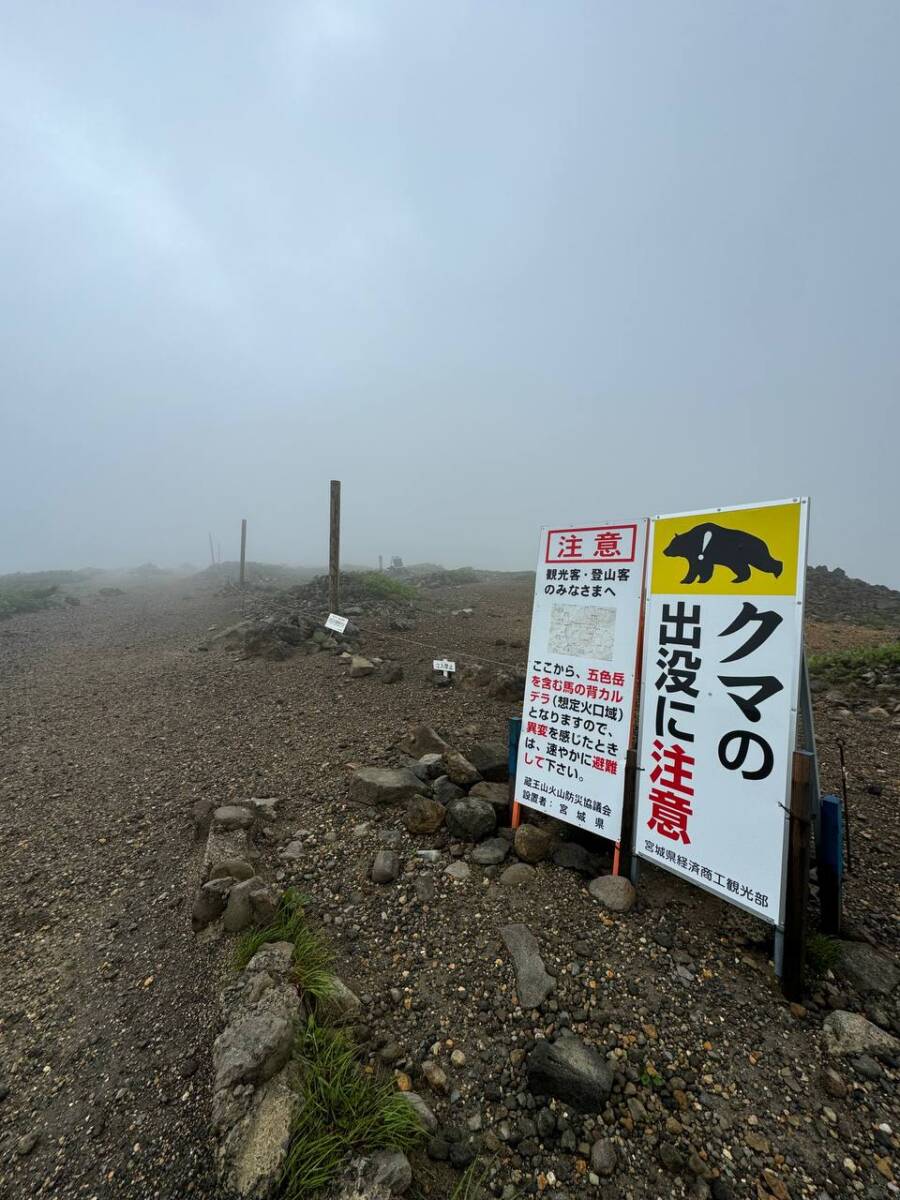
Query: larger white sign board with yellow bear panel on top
[723, 645]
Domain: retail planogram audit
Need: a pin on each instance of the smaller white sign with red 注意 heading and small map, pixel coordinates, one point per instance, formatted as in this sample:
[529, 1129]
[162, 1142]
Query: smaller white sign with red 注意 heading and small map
[580, 686]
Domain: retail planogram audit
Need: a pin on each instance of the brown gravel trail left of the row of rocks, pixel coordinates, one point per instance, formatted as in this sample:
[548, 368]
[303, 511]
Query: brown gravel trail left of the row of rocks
[106, 1001]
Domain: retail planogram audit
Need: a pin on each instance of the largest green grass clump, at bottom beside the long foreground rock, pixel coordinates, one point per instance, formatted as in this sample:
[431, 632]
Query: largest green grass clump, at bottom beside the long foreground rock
[343, 1112]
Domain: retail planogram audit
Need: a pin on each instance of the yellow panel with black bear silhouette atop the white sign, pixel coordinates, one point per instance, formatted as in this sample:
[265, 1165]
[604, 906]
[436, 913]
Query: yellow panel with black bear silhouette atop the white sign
[729, 553]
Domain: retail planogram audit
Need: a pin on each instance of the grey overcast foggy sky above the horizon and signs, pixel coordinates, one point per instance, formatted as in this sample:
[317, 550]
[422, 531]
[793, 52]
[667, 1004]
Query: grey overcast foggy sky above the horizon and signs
[493, 265]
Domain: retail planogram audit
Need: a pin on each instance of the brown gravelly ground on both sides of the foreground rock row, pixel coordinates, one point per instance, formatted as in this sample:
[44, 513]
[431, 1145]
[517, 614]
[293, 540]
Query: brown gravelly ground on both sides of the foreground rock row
[115, 724]
